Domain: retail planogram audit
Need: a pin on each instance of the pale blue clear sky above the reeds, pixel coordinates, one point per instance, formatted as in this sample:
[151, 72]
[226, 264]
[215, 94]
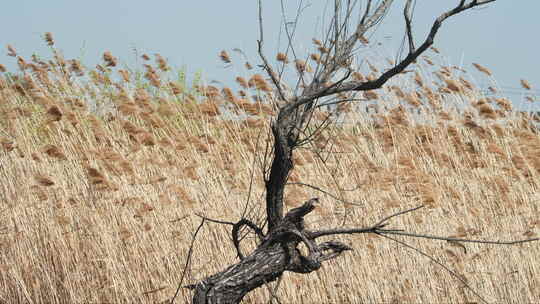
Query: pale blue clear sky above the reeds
[503, 36]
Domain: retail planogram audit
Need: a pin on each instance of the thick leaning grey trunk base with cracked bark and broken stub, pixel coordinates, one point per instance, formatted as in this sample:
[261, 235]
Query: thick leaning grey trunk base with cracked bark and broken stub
[276, 254]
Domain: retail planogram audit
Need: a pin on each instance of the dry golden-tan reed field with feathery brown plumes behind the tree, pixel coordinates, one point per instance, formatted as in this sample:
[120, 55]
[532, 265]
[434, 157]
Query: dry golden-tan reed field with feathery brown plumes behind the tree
[103, 172]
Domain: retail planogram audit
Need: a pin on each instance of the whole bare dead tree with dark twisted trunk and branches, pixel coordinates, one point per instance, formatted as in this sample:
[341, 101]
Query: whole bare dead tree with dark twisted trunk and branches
[278, 248]
